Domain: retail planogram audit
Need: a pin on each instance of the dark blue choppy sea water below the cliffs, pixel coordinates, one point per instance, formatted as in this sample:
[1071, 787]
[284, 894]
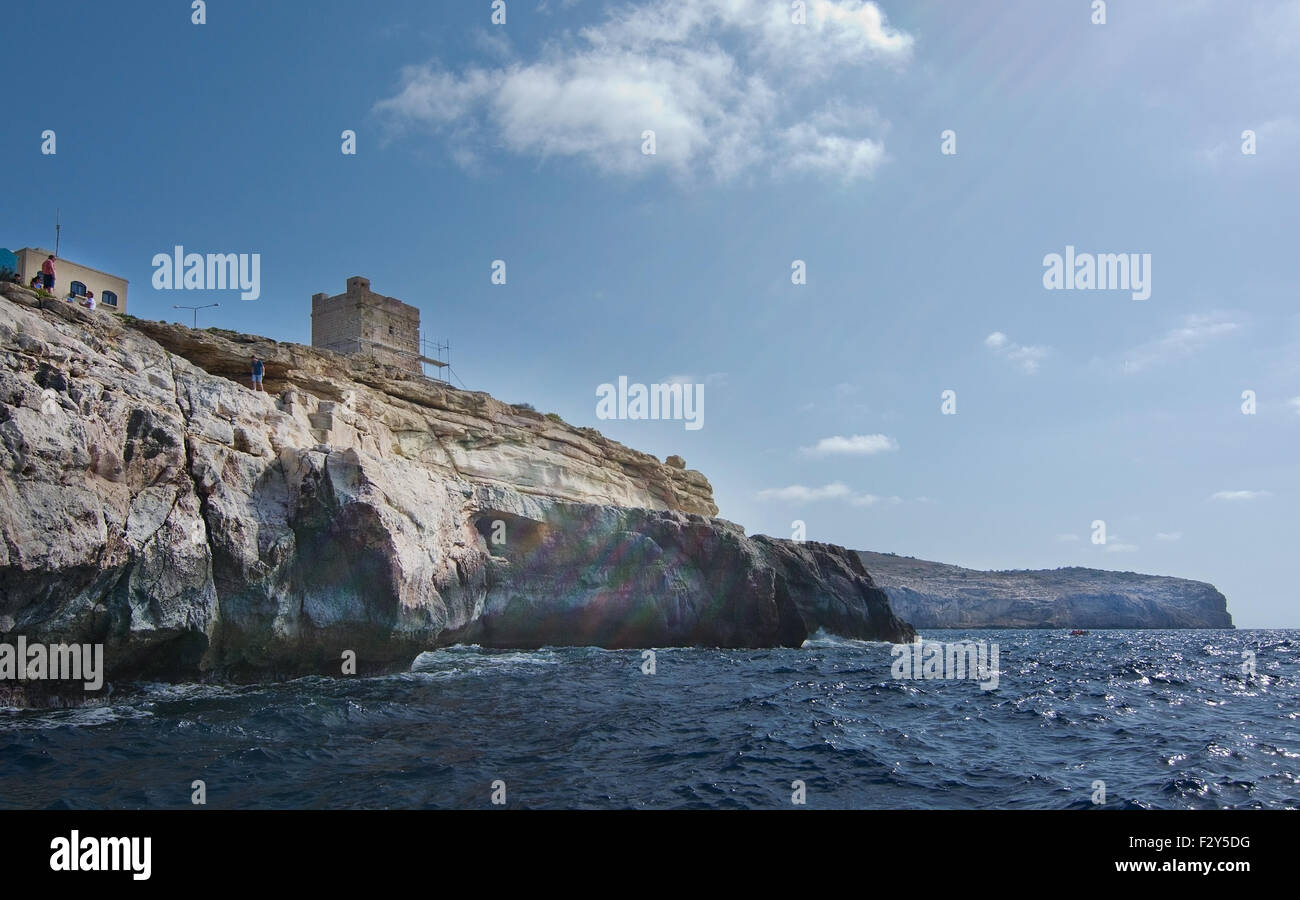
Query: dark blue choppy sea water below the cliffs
[1167, 720]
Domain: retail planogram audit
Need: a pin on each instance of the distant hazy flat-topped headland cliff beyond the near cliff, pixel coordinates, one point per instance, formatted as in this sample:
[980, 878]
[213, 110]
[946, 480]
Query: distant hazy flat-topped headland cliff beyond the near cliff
[931, 595]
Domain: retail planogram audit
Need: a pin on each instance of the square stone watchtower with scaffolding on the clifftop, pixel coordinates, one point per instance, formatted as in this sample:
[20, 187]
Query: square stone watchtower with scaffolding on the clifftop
[362, 322]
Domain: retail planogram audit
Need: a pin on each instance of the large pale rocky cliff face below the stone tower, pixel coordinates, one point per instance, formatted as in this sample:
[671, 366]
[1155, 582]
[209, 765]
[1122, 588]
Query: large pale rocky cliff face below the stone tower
[157, 505]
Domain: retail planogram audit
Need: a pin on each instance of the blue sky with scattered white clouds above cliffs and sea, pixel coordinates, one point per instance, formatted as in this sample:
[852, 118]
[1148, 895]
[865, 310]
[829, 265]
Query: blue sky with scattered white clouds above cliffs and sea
[775, 142]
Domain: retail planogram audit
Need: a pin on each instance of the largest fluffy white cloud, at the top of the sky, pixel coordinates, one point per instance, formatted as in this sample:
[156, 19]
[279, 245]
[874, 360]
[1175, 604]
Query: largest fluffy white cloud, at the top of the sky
[716, 80]
